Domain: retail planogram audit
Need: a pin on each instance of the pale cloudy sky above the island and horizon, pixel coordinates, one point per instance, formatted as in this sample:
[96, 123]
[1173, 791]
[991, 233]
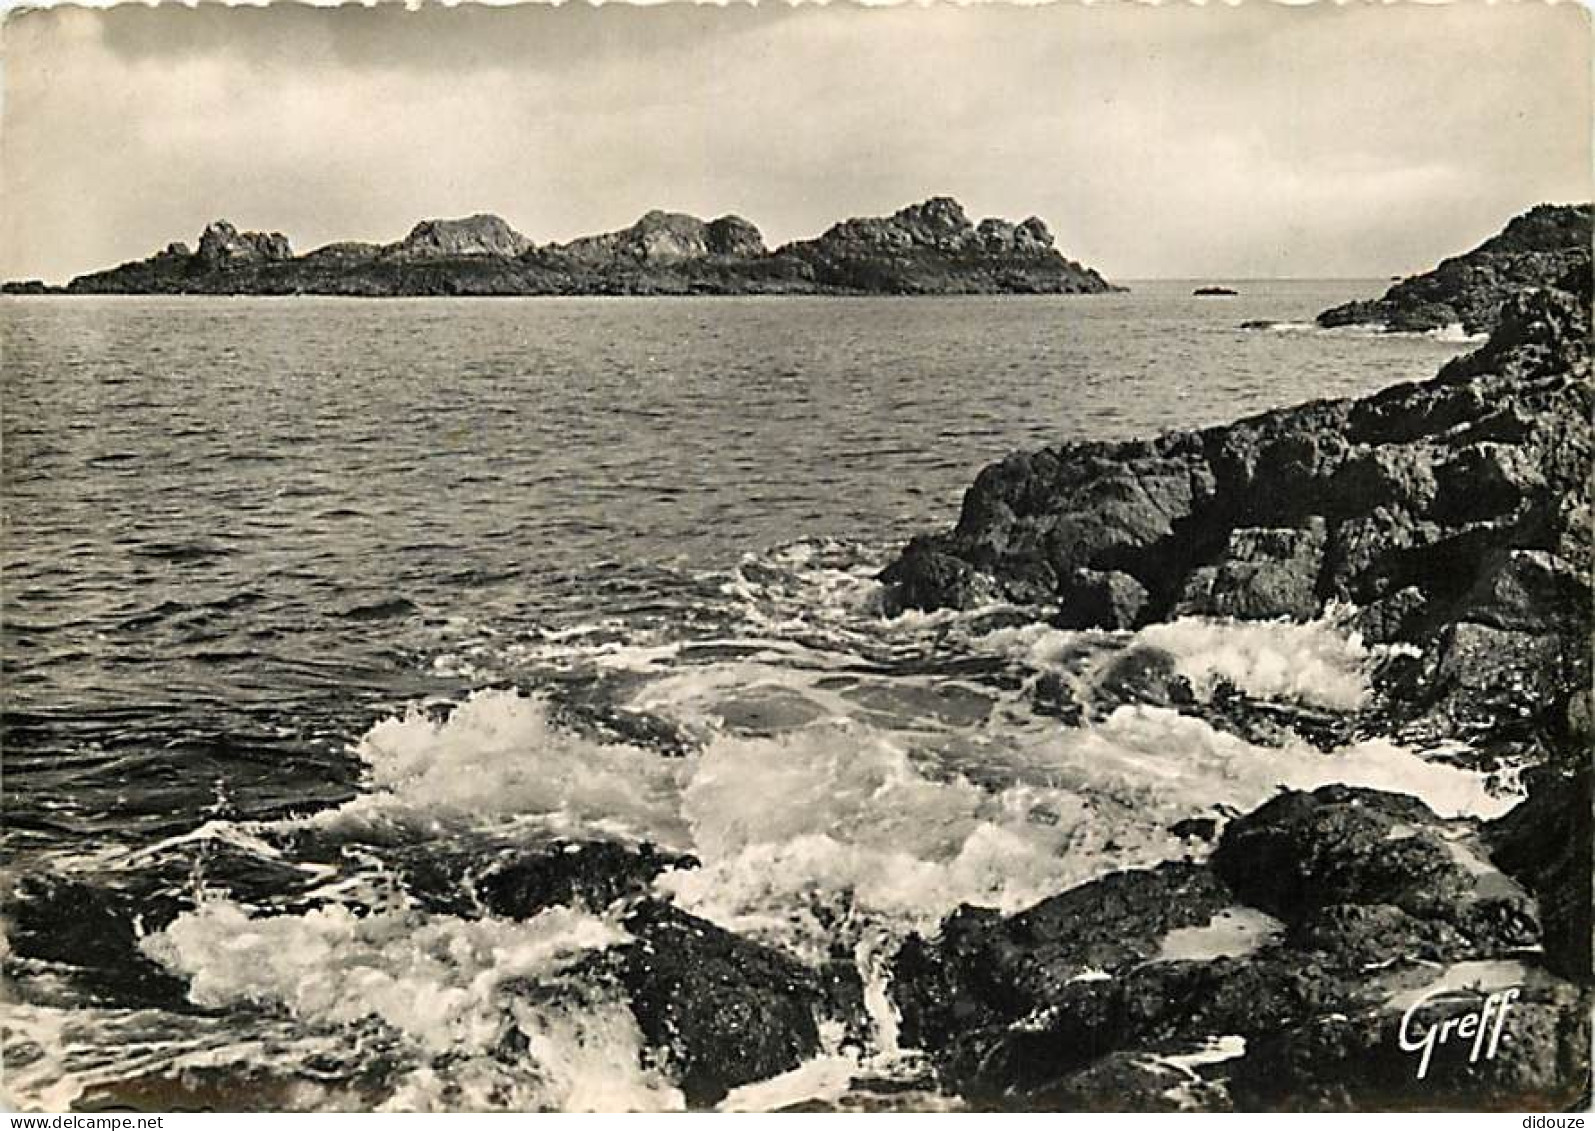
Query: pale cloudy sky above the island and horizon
[1178, 141]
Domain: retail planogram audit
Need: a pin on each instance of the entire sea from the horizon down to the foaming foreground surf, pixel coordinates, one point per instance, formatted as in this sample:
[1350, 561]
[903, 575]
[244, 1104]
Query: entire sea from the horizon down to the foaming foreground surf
[305, 594]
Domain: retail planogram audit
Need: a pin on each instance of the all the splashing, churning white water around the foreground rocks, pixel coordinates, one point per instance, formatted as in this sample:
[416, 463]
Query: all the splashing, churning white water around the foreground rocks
[845, 781]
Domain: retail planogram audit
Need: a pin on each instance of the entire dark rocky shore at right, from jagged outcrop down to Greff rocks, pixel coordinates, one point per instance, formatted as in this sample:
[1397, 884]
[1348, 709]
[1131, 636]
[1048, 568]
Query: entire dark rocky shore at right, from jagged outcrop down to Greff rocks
[1455, 513]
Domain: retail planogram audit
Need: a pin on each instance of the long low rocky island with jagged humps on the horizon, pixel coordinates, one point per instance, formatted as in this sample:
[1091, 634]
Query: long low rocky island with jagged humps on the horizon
[931, 250]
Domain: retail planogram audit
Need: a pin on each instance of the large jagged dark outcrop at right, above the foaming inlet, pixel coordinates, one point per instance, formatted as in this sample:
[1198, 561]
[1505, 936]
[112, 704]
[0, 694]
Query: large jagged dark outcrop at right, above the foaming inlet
[1455, 513]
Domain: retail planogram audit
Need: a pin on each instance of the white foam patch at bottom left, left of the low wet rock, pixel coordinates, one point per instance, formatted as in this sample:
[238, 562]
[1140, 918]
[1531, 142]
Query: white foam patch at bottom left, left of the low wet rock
[446, 985]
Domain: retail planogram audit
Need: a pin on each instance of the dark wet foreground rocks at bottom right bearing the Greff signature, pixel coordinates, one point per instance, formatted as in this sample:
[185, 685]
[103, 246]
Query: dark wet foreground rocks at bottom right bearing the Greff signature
[1089, 1003]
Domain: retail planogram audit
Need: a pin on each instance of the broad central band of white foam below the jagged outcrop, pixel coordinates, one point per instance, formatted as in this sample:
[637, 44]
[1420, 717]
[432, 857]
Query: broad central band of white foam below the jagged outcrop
[896, 827]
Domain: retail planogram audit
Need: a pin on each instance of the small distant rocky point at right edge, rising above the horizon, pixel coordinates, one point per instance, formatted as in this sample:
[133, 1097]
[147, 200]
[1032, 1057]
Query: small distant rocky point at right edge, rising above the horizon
[1470, 291]
